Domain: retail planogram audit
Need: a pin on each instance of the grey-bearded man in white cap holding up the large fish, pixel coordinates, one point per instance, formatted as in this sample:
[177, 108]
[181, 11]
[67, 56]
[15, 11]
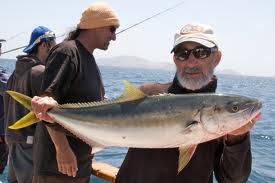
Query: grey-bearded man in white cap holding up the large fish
[196, 54]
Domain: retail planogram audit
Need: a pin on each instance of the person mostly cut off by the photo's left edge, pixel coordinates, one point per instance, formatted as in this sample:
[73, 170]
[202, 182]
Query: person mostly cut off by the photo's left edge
[3, 146]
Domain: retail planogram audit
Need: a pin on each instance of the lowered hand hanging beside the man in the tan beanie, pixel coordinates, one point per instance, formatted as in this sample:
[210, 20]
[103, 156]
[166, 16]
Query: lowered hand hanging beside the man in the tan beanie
[66, 161]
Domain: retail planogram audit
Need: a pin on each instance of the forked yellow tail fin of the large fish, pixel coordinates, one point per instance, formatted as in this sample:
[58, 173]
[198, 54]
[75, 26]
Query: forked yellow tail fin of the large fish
[30, 118]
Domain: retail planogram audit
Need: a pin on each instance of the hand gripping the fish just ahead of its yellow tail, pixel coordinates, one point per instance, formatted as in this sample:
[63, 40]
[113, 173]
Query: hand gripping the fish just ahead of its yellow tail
[41, 105]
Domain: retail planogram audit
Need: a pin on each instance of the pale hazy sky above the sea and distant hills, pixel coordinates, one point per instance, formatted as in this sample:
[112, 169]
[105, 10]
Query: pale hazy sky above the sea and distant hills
[245, 28]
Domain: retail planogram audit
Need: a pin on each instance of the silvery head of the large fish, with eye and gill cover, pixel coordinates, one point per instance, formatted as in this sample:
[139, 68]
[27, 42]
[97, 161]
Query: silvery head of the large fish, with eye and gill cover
[222, 114]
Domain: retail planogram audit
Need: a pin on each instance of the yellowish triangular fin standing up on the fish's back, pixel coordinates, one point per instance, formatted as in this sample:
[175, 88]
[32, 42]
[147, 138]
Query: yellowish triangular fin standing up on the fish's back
[130, 93]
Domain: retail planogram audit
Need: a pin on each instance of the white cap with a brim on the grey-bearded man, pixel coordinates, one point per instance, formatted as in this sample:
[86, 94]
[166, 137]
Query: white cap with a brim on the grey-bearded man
[196, 32]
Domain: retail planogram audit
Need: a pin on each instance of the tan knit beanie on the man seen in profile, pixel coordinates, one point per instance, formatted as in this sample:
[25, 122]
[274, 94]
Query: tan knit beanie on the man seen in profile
[98, 15]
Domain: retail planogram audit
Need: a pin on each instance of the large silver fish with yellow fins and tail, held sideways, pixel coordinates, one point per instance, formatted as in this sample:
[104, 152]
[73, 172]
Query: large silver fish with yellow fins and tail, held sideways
[160, 121]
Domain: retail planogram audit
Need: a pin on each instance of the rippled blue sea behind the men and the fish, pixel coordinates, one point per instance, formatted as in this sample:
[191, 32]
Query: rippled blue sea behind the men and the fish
[262, 135]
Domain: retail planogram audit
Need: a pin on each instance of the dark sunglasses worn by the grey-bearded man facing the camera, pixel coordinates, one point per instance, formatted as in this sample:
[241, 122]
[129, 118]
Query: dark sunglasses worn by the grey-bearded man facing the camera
[199, 53]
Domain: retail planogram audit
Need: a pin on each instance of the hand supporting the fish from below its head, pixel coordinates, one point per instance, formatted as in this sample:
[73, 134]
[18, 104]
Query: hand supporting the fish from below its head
[238, 135]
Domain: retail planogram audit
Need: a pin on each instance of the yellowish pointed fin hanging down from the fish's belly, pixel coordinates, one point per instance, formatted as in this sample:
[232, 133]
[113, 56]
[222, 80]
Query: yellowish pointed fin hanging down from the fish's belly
[185, 155]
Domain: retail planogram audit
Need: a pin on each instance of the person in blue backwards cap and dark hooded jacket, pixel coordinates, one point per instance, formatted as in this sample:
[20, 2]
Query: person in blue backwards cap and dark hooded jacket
[26, 78]
